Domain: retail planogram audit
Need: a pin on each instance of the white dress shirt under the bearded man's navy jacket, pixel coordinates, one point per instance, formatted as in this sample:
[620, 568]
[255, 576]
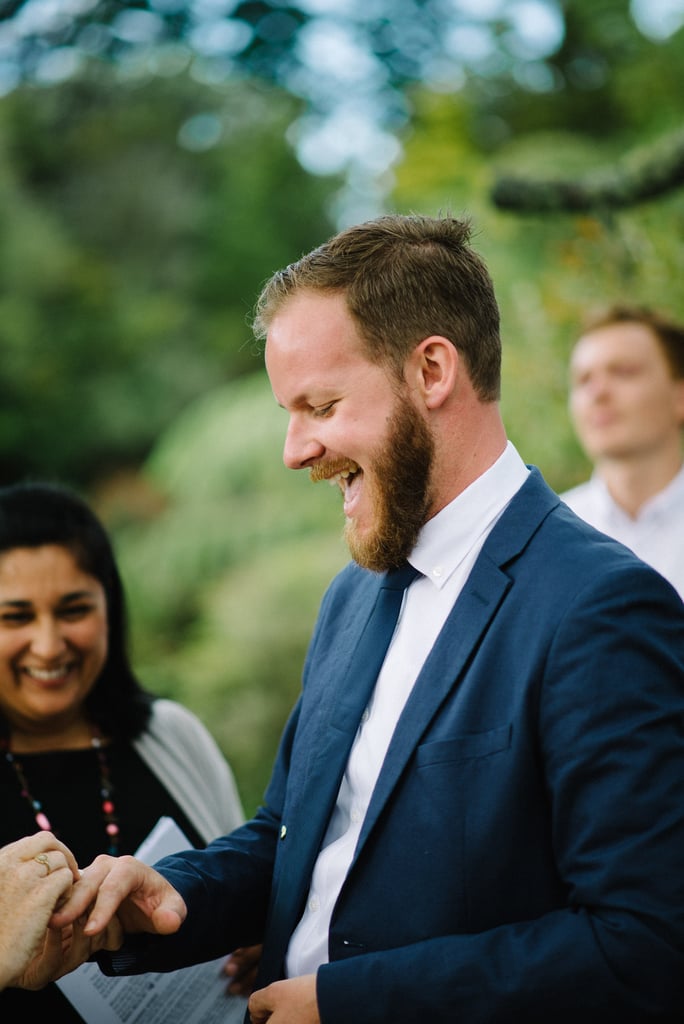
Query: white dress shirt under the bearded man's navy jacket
[446, 552]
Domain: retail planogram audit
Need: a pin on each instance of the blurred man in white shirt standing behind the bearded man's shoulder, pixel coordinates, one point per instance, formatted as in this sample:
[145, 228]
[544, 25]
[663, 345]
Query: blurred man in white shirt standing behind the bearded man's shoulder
[627, 404]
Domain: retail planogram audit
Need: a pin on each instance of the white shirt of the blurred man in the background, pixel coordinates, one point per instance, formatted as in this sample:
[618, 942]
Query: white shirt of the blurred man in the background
[657, 535]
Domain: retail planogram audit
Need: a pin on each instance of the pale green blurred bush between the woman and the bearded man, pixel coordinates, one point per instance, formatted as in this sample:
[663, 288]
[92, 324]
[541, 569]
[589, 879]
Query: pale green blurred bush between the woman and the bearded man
[226, 578]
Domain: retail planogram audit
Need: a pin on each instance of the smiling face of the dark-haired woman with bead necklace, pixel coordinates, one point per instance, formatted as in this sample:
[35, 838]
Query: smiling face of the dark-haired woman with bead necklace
[54, 636]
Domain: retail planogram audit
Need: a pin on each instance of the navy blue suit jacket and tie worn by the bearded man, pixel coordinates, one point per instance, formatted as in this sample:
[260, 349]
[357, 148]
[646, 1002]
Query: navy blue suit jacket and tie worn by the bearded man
[523, 859]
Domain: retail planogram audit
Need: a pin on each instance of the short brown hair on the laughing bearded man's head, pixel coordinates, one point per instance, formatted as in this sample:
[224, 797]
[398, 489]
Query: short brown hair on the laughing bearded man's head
[405, 278]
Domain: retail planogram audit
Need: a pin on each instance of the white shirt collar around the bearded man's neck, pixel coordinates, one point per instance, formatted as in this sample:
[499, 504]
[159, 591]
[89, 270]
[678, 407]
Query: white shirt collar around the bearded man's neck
[447, 539]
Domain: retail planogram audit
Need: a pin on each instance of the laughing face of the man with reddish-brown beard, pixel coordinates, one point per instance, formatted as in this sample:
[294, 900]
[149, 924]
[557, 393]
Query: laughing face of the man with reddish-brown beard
[351, 422]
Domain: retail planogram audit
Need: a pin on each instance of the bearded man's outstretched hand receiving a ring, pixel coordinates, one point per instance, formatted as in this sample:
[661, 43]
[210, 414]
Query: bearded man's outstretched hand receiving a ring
[142, 900]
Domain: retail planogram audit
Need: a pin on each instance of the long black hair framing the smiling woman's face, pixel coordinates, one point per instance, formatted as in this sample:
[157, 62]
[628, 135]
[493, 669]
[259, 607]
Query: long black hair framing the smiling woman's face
[33, 515]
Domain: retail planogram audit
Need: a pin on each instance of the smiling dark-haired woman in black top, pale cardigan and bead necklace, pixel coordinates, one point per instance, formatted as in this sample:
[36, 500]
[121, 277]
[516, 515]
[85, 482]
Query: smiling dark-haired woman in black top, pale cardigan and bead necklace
[85, 751]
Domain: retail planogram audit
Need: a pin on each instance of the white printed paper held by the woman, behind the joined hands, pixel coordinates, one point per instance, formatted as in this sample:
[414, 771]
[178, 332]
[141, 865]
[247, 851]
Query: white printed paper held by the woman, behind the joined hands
[193, 996]
